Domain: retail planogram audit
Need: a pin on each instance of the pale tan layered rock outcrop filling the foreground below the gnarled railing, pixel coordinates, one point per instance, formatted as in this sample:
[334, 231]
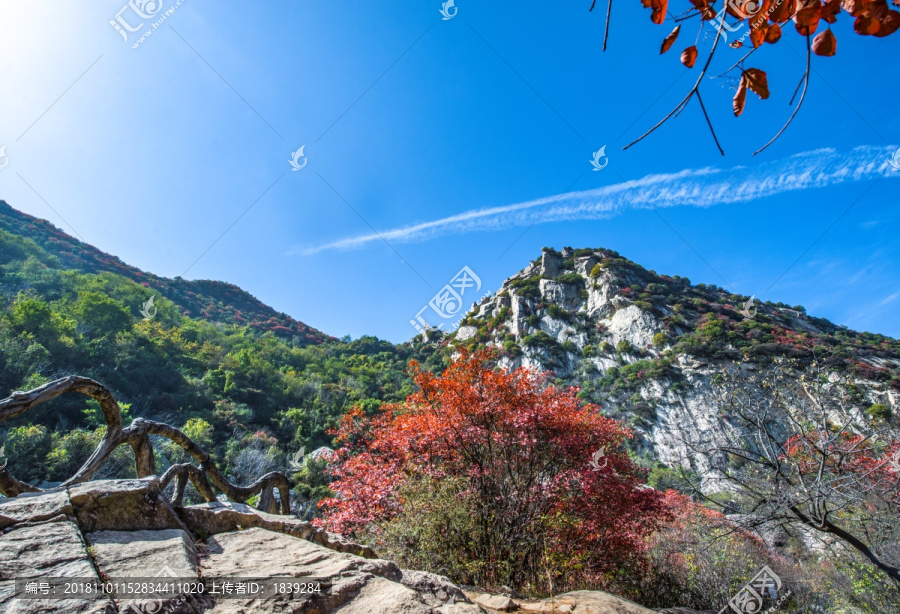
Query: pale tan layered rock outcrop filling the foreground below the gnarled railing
[119, 529]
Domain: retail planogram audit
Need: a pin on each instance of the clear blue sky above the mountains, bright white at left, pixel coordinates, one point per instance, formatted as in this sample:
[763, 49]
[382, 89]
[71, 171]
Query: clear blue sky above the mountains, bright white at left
[462, 142]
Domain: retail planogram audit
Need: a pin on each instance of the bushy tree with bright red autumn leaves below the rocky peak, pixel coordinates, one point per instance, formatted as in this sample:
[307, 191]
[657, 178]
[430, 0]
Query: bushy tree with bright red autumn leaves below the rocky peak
[543, 474]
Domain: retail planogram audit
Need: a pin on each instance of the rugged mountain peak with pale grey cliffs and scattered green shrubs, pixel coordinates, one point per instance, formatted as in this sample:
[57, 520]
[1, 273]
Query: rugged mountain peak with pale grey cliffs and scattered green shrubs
[646, 346]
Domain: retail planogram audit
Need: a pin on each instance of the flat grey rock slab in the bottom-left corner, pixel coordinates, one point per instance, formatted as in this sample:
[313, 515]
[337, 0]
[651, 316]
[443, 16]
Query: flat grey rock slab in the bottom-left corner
[47, 549]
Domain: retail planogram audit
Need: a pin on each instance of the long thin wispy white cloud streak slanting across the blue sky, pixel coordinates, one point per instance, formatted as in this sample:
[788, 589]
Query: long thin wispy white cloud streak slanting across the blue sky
[704, 187]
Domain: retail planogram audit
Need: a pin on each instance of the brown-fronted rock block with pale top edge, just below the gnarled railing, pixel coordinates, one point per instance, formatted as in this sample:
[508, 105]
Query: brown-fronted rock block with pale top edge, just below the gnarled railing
[122, 505]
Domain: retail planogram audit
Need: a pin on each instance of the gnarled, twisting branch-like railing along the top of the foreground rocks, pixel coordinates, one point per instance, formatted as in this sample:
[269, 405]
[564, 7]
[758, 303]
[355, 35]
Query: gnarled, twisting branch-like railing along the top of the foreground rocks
[137, 435]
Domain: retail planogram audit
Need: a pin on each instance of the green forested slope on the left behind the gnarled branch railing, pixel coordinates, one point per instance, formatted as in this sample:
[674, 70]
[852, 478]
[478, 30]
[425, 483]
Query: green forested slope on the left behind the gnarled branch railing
[248, 395]
